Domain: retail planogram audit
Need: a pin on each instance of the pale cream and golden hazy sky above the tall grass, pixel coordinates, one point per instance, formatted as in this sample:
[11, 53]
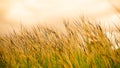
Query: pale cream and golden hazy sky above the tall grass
[30, 12]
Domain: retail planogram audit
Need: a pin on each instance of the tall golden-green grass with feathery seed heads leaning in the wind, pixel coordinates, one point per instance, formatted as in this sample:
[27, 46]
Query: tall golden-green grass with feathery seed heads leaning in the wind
[83, 45]
